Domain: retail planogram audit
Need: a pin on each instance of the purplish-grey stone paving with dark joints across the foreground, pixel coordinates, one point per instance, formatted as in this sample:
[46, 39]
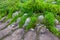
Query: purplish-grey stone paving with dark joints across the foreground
[12, 32]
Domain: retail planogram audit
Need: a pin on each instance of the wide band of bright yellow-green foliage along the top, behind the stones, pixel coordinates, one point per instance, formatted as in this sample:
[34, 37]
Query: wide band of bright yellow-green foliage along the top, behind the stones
[38, 6]
